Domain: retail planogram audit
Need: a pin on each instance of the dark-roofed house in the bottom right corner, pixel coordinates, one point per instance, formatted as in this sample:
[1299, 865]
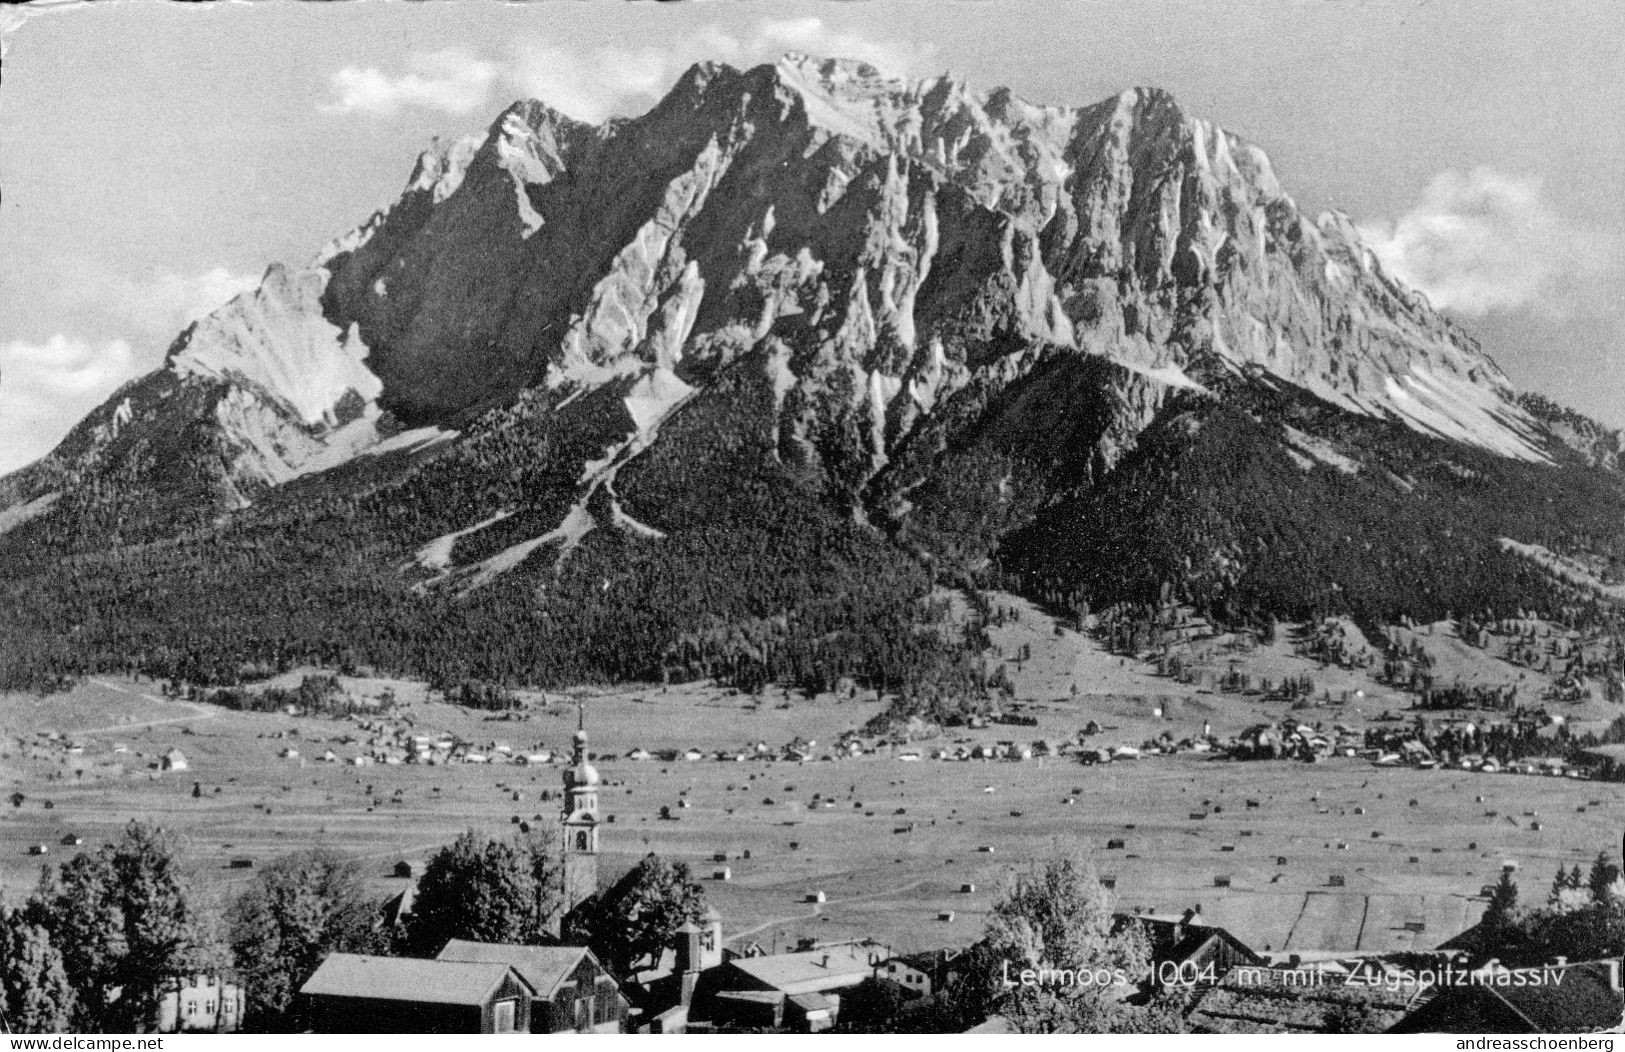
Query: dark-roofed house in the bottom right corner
[1551, 999]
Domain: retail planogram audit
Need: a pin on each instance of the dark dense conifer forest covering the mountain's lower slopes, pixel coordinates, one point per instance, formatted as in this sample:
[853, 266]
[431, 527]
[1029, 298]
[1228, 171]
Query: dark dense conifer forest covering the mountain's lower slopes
[773, 562]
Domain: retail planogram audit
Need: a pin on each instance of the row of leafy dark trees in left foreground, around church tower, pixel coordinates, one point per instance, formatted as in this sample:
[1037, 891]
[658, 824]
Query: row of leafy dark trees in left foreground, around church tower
[110, 934]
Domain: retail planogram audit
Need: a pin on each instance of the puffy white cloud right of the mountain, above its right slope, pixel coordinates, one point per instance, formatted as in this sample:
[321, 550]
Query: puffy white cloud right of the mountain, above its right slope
[1484, 241]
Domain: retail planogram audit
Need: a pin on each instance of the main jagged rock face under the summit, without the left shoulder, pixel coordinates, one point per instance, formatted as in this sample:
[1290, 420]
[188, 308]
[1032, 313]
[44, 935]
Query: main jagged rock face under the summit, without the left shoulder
[896, 238]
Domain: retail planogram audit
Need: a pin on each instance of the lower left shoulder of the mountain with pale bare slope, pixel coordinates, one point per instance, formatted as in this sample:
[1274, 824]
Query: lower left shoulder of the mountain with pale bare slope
[253, 396]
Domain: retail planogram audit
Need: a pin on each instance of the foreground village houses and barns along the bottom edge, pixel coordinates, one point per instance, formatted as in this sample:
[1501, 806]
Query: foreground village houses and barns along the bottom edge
[703, 986]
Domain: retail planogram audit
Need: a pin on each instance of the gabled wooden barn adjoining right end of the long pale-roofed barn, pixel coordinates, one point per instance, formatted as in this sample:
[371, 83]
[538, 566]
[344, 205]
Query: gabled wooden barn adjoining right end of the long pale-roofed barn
[571, 989]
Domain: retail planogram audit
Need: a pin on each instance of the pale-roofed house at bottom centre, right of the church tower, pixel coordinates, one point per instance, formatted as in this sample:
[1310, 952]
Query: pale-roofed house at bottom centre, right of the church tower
[794, 991]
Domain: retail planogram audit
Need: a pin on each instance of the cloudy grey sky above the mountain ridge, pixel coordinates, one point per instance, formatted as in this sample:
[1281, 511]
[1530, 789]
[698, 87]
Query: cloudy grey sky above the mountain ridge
[157, 157]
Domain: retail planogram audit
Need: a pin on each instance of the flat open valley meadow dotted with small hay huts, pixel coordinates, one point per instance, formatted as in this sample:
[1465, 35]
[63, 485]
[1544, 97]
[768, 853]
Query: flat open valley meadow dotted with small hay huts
[890, 851]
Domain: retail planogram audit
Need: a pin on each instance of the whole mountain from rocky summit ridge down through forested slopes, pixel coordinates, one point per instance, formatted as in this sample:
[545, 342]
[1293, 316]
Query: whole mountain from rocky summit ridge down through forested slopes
[828, 334]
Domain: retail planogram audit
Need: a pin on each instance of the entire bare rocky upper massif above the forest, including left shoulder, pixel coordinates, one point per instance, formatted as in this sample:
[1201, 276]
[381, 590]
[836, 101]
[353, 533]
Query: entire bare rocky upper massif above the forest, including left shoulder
[895, 258]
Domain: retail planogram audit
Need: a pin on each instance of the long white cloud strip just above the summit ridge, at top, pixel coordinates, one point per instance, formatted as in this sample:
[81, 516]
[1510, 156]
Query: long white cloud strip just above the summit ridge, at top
[617, 80]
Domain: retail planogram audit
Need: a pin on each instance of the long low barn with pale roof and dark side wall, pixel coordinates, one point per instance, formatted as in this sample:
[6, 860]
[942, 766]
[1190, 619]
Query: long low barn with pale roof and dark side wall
[357, 994]
